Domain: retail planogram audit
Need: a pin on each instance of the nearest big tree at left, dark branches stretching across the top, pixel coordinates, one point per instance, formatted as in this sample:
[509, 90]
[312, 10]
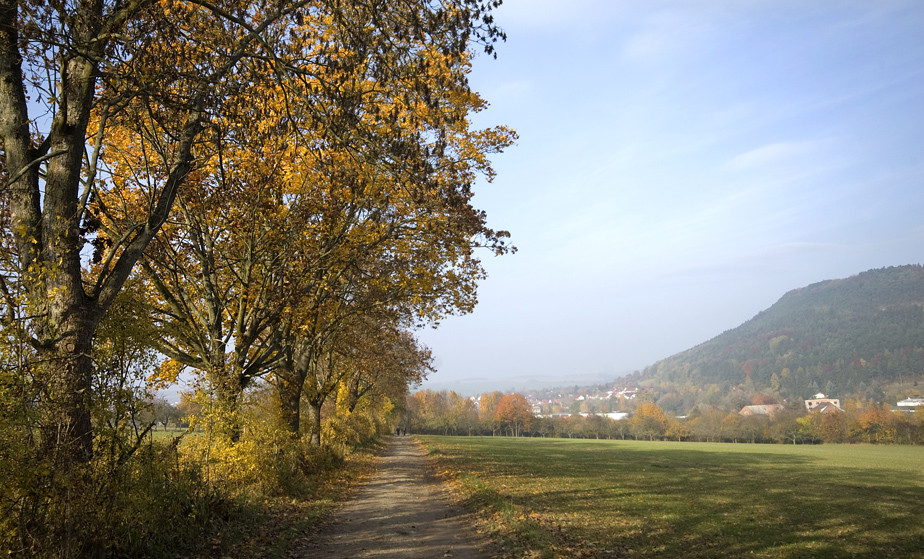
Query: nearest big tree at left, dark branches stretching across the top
[133, 62]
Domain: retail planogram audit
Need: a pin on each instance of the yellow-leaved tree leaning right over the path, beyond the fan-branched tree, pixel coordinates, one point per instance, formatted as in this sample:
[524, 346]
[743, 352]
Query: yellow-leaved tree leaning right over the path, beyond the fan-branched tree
[397, 233]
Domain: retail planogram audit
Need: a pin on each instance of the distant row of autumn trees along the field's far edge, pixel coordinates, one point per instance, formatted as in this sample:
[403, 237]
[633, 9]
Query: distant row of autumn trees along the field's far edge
[448, 413]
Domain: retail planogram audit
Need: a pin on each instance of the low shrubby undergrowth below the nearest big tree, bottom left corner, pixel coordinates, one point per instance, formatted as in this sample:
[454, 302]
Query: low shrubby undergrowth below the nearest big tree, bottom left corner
[149, 504]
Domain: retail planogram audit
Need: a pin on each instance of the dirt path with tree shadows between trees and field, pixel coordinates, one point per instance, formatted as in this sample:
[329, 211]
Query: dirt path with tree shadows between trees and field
[402, 512]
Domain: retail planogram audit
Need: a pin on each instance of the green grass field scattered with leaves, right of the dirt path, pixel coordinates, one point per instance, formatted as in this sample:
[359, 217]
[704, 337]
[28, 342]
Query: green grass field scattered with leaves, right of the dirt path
[580, 498]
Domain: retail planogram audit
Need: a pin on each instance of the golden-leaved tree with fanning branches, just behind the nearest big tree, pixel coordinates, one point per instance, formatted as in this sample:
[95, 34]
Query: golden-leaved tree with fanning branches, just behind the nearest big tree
[217, 274]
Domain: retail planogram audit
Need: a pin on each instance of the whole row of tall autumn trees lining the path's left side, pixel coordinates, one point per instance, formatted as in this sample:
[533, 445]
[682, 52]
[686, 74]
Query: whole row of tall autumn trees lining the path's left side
[269, 194]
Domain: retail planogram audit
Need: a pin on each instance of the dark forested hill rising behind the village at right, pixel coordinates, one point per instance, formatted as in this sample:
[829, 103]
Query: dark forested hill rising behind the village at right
[851, 337]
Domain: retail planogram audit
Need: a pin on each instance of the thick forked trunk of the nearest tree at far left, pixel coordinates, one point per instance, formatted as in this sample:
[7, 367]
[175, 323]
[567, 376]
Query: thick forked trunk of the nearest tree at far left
[43, 182]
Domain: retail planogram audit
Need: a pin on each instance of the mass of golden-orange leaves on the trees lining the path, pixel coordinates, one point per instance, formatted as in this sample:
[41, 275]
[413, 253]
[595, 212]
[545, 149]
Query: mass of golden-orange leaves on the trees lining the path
[331, 182]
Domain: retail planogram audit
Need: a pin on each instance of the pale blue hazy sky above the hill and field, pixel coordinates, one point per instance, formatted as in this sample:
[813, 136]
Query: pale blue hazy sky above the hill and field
[681, 165]
